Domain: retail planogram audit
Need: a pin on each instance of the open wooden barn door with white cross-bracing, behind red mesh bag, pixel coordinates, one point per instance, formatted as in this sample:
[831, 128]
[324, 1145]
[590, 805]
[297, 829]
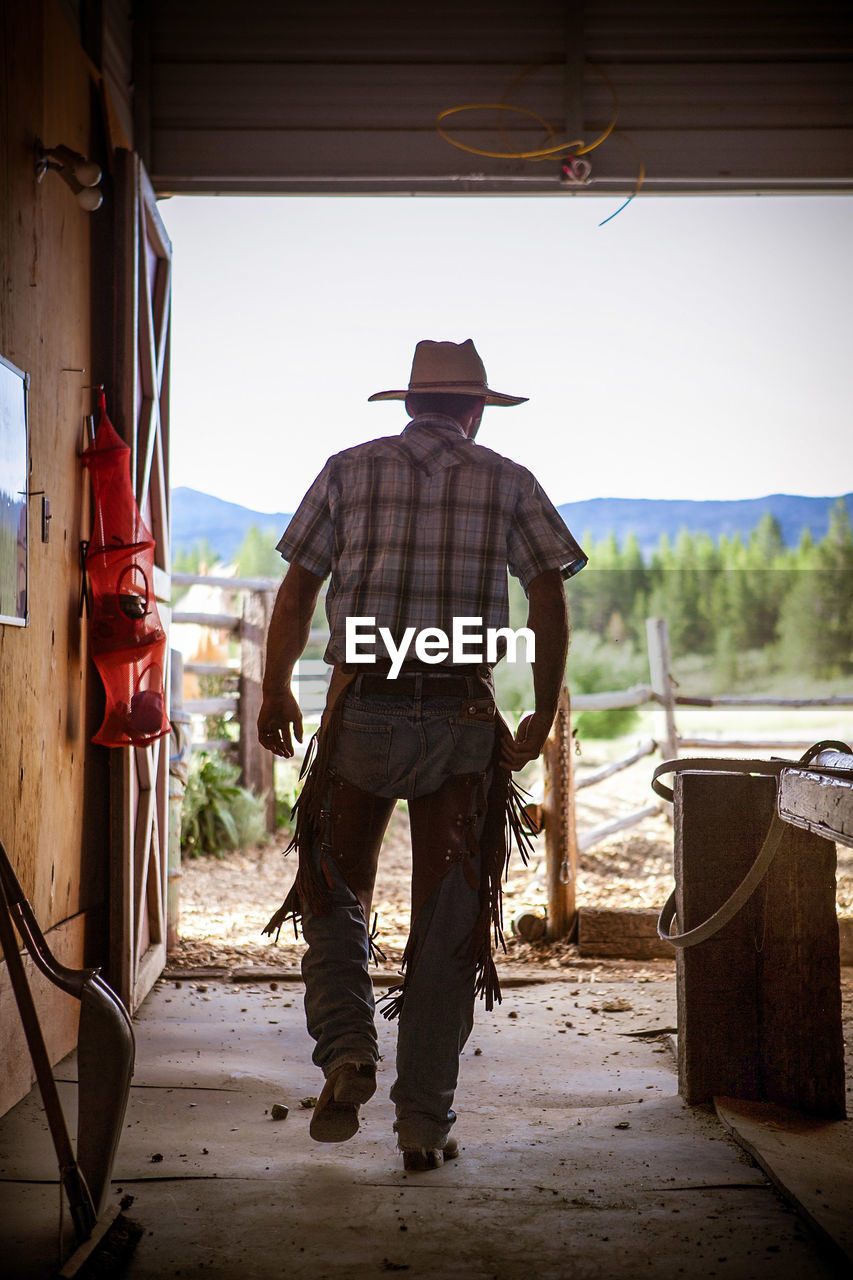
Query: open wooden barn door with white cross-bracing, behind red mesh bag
[140, 776]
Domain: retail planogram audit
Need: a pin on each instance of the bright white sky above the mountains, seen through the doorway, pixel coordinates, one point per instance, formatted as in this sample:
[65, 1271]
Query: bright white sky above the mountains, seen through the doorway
[695, 348]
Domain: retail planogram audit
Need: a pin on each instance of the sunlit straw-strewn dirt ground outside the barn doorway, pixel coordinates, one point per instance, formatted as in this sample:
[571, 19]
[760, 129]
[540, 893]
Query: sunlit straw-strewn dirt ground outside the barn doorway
[225, 903]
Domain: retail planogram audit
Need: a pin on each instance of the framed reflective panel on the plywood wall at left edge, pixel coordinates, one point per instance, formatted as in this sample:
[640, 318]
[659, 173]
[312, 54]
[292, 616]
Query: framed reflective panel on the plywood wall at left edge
[15, 482]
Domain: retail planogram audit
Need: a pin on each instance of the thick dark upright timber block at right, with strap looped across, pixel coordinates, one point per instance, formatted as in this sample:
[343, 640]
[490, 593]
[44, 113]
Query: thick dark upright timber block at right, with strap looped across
[760, 1004]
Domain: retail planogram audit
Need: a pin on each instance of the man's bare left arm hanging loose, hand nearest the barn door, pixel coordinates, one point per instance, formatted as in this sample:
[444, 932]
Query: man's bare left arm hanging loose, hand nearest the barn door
[289, 634]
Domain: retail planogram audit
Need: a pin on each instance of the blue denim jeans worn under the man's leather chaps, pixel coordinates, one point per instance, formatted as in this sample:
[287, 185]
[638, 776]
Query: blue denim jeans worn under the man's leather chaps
[403, 748]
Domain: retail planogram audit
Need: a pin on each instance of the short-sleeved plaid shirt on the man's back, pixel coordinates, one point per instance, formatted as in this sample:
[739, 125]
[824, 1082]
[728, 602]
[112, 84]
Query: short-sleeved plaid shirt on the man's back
[421, 528]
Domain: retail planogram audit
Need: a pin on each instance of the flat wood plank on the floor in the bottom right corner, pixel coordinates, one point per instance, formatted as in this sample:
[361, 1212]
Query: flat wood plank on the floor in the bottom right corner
[809, 1160]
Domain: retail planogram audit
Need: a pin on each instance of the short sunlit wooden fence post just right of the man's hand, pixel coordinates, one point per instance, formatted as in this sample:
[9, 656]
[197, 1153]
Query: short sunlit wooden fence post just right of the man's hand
[559, 811]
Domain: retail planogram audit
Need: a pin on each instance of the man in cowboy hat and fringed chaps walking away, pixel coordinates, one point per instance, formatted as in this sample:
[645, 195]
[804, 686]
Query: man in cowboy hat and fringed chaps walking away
[416, 532]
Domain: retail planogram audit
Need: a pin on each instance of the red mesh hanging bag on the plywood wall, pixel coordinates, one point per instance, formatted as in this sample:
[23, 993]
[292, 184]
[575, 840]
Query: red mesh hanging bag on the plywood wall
[127, 639]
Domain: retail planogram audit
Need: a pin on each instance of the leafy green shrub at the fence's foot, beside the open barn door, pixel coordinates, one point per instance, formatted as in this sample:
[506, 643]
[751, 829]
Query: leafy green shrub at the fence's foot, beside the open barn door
[218, 815]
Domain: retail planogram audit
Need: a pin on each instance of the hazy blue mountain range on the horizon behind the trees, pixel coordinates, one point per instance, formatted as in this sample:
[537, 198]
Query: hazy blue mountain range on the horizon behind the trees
[198, 516]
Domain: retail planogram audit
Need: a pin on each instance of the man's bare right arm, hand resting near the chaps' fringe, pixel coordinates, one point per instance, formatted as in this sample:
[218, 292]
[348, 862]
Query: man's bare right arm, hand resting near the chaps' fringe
[549, 620]
